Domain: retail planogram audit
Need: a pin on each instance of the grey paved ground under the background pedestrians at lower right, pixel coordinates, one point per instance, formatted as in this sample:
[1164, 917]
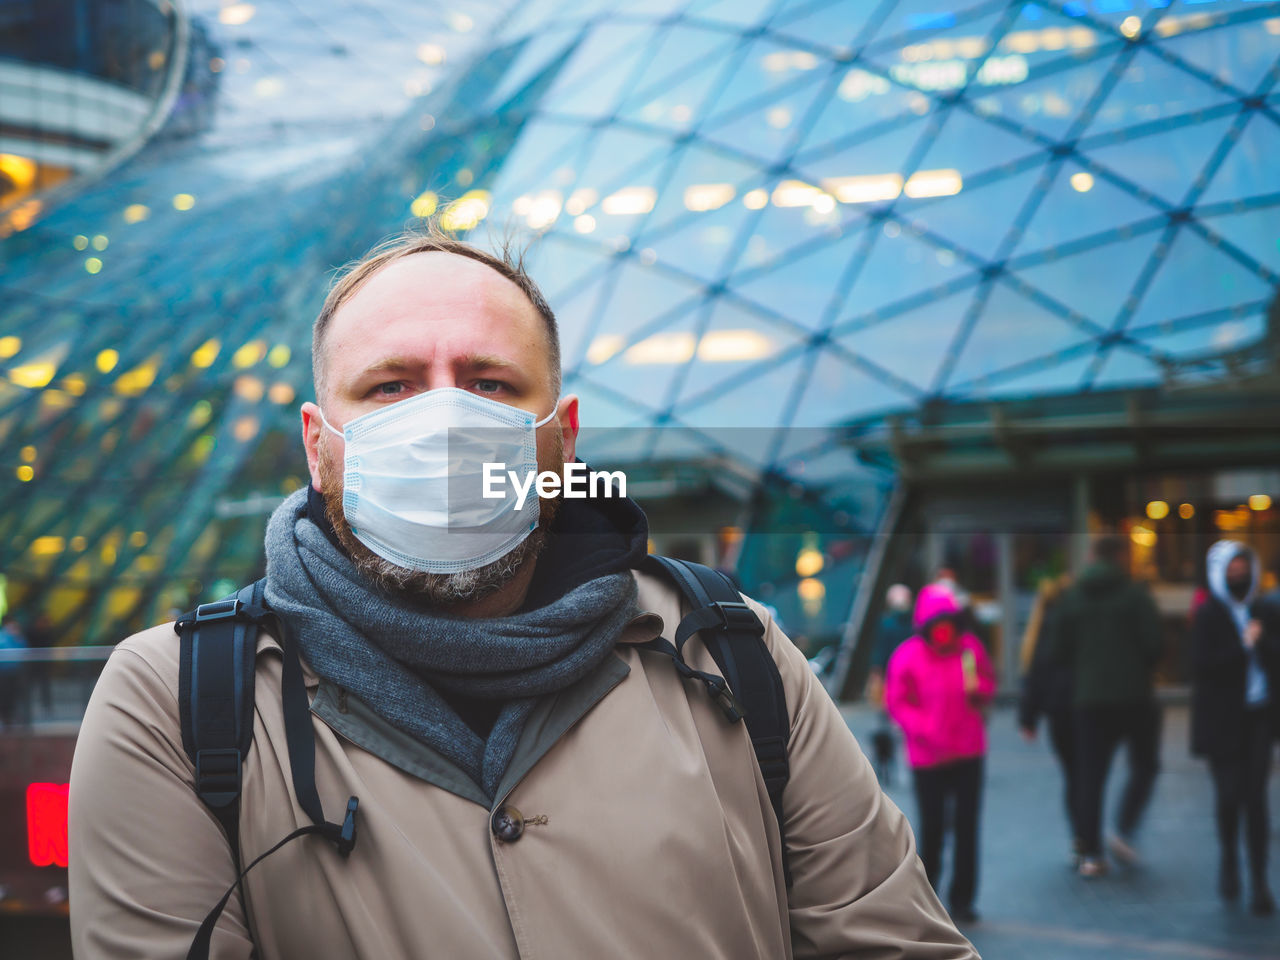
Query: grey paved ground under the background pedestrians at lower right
[1034, 908]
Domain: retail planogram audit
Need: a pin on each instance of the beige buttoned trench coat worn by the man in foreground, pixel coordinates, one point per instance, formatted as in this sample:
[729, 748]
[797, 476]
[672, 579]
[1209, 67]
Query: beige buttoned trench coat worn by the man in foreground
[650, 831]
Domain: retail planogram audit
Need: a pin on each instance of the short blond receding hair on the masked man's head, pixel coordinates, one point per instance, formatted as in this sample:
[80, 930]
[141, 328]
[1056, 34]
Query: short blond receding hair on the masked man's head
[431, 239]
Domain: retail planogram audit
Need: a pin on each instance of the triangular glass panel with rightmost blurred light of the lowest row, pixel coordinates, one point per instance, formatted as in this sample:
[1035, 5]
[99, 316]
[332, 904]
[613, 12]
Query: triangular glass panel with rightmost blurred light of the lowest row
[735, 344]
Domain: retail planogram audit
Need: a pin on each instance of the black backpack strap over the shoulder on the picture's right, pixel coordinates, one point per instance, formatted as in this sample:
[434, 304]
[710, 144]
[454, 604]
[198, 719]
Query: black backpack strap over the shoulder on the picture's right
[735, 639]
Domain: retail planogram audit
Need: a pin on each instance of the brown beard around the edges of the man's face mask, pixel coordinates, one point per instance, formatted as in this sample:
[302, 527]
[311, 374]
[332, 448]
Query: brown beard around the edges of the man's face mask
[438, 589]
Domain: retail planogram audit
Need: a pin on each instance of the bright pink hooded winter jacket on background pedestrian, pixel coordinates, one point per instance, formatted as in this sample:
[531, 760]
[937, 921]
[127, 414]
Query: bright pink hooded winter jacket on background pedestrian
[925, 691]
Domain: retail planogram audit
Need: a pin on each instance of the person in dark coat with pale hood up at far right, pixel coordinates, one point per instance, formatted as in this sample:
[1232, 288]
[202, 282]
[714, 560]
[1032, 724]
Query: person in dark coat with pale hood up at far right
[1236, 707]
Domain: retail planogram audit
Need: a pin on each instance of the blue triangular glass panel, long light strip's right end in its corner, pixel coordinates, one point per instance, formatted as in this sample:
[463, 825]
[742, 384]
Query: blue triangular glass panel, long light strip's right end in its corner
[966, 221]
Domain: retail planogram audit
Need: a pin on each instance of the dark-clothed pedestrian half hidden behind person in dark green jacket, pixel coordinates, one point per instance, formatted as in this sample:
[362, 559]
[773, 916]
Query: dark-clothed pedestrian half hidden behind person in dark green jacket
[1048, 693]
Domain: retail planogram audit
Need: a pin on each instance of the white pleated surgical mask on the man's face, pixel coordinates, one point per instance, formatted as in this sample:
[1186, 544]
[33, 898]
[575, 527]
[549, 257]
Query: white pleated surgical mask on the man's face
[414, 479]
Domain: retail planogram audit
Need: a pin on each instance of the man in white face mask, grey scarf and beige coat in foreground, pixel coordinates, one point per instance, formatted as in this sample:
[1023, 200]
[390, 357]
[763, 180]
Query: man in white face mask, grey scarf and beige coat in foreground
[531, 781]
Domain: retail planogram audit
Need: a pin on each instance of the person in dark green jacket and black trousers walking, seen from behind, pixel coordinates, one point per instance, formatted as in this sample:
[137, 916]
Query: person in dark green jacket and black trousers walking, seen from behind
[1108, 636]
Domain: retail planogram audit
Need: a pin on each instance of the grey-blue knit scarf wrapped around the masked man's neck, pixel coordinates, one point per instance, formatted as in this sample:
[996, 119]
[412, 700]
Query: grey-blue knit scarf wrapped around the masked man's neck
[395, 657]
